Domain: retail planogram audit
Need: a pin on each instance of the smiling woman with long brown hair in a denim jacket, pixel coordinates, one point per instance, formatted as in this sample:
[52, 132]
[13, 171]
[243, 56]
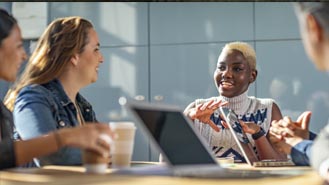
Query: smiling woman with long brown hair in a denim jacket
[46, 97]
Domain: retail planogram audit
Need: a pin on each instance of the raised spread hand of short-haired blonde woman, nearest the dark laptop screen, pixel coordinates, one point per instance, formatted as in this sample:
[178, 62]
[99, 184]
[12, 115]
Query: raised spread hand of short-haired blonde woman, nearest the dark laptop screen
[203, 112]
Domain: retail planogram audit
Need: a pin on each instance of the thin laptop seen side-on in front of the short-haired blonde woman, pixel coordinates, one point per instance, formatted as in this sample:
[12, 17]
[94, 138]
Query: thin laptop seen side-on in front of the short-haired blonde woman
[244, 144]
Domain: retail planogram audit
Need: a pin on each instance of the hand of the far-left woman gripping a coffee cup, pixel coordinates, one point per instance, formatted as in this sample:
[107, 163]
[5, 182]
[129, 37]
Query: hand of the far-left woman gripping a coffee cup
[91, 136]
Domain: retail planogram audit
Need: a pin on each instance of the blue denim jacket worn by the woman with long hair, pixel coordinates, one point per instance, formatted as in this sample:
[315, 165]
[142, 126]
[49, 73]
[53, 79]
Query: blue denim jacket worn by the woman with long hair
[40, 109]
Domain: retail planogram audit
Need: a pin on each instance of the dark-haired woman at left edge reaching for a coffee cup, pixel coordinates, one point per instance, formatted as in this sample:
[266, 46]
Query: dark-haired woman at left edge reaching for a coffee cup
[15, 153]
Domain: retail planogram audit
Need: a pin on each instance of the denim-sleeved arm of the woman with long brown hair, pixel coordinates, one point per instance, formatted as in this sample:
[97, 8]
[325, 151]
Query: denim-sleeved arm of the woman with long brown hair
[34, 118]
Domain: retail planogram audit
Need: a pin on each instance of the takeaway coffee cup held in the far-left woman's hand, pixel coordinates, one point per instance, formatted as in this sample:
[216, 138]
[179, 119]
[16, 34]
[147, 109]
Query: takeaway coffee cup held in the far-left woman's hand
[94, 162]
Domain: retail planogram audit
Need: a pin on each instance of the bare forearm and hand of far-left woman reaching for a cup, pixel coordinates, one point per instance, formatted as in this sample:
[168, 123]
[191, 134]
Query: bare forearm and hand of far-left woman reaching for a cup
[26, 150]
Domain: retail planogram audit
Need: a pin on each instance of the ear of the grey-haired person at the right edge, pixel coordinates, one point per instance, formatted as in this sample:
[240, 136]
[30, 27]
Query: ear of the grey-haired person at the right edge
[314, 29]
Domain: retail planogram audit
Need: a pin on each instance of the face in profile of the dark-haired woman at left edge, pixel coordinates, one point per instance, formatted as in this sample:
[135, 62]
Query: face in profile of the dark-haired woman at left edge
[12, 55]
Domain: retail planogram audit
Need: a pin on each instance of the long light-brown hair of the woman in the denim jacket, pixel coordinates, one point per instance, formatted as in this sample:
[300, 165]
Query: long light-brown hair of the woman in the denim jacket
[62, 39]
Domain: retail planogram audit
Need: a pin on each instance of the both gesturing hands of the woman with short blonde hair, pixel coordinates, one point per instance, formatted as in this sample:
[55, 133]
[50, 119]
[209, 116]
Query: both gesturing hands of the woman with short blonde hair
[203, 112]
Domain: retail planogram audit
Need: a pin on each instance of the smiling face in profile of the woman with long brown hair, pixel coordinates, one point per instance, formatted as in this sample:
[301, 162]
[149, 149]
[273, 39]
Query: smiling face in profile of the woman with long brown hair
[90, 58]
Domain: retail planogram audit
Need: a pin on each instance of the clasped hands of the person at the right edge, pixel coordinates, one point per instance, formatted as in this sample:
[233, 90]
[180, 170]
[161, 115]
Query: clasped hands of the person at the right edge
[285, 133]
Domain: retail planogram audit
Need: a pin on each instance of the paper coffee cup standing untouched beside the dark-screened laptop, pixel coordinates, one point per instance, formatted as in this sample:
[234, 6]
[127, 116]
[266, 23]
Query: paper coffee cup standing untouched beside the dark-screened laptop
[123, 144]
